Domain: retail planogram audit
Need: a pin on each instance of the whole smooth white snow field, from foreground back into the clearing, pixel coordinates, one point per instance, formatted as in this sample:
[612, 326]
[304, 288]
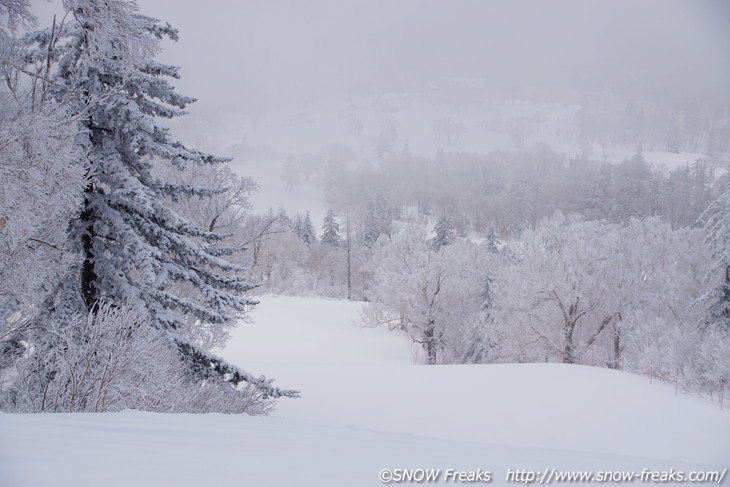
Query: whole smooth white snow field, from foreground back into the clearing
[364, 408]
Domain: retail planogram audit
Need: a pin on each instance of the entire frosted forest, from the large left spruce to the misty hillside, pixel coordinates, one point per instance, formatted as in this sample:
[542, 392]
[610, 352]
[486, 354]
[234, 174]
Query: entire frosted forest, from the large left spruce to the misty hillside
[127, 256]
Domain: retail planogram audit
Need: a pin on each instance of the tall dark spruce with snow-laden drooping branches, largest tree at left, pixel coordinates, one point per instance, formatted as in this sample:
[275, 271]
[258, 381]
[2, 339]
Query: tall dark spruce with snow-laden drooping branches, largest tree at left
[133, 247]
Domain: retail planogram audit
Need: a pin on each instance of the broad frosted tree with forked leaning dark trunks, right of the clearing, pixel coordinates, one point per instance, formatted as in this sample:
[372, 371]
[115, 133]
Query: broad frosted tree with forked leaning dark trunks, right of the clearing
[550, 294]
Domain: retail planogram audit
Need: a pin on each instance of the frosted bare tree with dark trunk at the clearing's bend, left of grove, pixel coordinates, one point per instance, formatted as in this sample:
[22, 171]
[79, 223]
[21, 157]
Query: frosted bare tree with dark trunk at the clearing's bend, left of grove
[432, 296]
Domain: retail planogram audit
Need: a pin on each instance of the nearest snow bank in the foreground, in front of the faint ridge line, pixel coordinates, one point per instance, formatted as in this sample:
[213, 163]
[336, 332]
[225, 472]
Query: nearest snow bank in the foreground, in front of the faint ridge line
[145, 449]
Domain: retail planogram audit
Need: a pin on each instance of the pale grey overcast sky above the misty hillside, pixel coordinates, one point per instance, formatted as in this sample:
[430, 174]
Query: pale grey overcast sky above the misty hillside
[245, 54]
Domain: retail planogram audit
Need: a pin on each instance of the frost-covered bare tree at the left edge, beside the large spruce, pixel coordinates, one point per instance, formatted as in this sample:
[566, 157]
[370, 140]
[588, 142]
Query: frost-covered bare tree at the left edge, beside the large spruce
[40, 184]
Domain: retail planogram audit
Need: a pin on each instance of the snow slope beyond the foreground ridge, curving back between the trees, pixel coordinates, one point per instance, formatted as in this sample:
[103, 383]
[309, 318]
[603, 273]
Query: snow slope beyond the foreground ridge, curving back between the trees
[355, 376]
